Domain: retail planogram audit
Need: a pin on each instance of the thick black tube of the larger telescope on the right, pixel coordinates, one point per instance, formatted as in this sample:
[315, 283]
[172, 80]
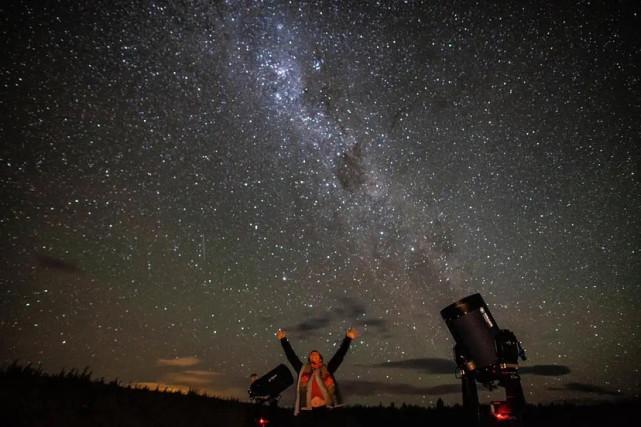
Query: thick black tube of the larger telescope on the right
[474, 330]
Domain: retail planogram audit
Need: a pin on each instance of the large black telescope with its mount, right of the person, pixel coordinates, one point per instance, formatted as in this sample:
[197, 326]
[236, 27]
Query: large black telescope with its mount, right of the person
[486, 354]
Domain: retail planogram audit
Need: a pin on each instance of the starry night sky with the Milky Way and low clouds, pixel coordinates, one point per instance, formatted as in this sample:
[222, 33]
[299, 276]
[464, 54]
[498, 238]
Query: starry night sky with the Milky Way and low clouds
[181, 179]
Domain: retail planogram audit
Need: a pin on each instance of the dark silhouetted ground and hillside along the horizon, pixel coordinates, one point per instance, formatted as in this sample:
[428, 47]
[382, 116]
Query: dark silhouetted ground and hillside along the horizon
[31, 397]
